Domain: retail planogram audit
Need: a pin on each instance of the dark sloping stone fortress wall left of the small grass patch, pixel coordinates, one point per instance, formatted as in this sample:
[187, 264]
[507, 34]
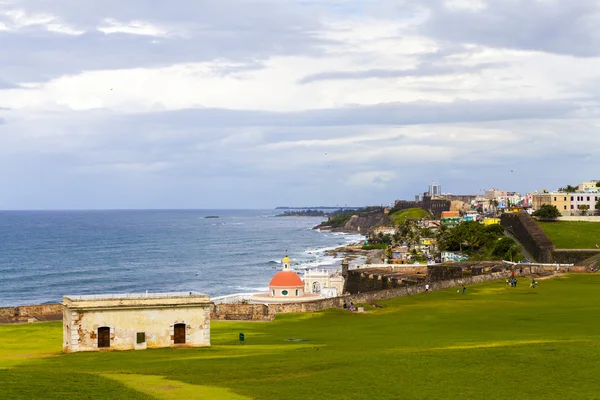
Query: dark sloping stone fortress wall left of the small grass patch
[529, 233]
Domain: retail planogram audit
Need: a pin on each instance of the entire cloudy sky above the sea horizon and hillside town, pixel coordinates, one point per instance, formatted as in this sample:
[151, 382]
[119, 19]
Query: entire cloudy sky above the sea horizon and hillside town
[261, 103]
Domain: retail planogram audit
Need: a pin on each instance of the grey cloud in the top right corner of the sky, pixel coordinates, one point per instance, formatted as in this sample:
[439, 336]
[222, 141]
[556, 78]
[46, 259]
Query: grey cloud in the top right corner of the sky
[562, 27]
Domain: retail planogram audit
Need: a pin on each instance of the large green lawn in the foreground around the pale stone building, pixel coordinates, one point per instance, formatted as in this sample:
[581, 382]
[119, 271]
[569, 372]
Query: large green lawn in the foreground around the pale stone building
[491, 343]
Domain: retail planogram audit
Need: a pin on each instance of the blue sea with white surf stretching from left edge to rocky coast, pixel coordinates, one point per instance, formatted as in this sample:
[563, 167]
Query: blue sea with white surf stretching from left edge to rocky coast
[47, 254]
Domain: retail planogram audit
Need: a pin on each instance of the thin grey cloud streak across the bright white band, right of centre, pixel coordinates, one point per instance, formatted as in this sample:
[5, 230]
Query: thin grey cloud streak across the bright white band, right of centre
[421, 71]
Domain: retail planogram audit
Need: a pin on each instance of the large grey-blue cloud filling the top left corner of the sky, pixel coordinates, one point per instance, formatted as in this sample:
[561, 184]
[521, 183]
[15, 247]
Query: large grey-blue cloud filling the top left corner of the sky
[244, 32]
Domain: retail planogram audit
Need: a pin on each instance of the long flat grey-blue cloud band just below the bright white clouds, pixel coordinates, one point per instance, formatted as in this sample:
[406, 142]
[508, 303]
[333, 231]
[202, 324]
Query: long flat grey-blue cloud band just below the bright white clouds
[410, 113]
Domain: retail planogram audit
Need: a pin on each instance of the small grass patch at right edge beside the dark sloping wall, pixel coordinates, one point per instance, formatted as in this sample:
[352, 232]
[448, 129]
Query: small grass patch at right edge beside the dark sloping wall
[573, 234]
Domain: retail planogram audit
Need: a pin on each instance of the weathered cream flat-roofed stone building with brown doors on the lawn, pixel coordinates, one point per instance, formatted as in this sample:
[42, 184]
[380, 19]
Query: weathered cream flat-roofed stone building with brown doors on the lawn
[135, 321]
